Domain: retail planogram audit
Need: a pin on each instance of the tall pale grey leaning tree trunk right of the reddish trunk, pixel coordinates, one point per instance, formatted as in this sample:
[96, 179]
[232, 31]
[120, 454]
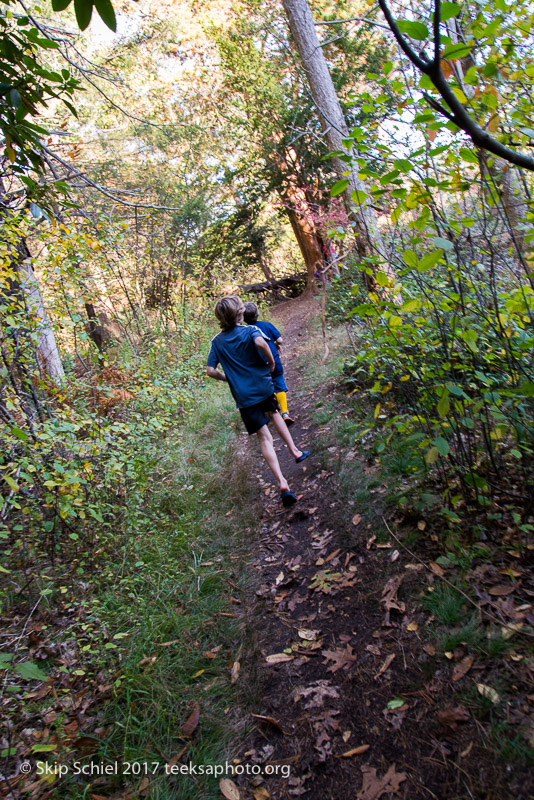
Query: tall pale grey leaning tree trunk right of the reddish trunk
[369, 240]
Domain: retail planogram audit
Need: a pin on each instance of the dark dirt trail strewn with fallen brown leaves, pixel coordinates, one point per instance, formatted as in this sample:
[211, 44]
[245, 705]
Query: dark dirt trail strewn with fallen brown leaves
[337, 637]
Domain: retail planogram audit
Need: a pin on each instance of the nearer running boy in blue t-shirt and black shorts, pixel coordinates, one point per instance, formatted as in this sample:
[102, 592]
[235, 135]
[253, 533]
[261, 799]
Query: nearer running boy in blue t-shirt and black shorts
[242, 351]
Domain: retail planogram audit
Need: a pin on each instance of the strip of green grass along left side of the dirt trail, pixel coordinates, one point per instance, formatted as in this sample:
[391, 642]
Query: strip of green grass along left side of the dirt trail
[184, 539]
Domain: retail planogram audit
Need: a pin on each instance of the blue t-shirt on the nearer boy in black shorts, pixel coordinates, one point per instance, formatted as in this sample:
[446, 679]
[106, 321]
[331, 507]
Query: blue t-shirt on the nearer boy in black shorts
[248, 375]
